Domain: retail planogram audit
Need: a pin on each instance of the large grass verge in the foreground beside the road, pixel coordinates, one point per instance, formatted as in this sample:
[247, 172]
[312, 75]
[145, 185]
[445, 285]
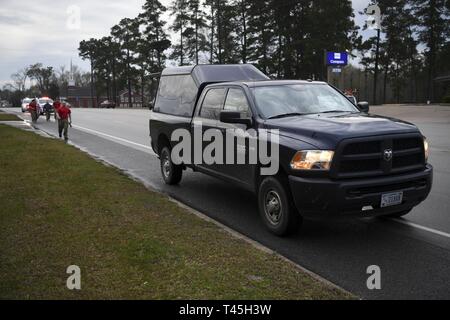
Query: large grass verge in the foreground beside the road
[59, 207]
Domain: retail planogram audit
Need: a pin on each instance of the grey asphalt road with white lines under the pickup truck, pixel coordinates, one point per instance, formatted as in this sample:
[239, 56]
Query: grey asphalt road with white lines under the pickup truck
[413, 253]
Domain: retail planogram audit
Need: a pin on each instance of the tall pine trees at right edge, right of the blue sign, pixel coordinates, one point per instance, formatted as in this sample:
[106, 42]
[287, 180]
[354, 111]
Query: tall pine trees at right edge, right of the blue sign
[415, 50]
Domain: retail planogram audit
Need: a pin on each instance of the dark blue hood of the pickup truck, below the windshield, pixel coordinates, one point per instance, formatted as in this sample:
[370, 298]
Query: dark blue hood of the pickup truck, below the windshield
[325, 131]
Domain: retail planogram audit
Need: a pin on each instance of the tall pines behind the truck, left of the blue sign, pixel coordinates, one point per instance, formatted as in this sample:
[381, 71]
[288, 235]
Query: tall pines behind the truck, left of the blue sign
[284, 38]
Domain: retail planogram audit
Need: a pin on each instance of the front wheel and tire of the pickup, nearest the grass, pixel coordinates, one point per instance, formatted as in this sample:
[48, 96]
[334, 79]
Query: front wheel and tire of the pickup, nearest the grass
[277, 208]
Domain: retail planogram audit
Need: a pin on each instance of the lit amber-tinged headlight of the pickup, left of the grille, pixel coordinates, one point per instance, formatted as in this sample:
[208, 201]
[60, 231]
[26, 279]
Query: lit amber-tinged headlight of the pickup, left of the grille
[312, 160]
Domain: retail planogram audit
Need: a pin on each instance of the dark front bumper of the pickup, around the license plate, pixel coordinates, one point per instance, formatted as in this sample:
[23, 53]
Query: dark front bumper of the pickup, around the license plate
[322, 198]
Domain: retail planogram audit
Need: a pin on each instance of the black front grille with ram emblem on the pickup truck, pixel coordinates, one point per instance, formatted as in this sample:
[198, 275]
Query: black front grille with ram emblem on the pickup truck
[385, 155]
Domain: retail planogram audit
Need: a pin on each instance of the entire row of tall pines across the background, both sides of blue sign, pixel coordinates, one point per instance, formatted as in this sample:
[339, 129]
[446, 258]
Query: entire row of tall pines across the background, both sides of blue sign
[283, 38]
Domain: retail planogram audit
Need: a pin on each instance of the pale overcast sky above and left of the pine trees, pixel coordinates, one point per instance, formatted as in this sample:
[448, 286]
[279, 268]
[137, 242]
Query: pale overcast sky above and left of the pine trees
[47, 31]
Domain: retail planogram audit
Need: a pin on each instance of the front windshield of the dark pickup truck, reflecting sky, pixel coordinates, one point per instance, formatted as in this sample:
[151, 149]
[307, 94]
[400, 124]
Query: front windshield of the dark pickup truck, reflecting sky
[300, 99]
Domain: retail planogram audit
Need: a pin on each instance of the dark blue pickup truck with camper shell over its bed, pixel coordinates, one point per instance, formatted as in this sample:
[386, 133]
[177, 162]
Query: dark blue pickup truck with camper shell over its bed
[335, 159]
